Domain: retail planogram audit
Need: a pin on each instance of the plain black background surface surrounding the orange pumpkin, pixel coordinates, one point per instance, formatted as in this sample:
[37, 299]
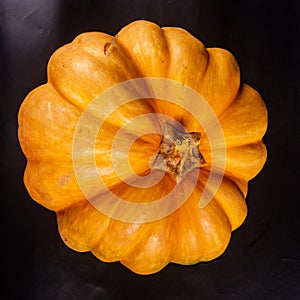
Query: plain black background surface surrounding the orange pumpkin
[262, 260]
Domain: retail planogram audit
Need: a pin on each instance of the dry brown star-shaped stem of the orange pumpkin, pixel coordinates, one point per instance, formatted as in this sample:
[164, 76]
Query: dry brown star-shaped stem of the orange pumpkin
[178, 152]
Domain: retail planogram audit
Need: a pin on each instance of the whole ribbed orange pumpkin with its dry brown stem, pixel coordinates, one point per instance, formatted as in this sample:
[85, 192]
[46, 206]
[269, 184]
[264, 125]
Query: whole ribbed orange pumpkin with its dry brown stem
[94, 63]
